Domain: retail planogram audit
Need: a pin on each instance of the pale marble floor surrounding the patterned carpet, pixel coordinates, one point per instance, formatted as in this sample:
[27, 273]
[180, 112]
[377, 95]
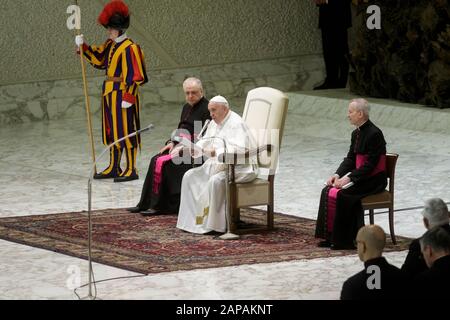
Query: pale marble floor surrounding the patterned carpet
[45, 166]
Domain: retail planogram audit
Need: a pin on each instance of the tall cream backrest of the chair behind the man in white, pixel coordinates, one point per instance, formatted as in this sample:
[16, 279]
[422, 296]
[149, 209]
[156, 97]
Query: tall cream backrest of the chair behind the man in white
[265, 114]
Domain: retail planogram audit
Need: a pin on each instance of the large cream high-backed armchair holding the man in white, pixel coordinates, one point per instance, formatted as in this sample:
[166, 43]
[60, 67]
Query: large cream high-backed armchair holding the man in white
[264, 113]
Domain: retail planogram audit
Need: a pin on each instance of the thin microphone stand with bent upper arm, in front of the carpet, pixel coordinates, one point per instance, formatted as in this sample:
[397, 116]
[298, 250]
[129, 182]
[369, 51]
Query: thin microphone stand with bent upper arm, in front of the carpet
[91, 174]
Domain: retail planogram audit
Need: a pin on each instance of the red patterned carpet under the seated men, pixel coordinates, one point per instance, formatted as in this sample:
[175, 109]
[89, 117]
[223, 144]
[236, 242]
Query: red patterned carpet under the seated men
[153, 244]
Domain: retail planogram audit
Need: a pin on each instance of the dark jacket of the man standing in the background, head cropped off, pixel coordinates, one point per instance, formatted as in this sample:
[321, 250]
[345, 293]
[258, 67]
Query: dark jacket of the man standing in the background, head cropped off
[335, 14]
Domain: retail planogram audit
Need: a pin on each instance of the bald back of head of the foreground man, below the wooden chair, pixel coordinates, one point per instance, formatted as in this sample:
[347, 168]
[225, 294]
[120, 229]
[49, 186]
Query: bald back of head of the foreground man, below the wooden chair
[370, 242]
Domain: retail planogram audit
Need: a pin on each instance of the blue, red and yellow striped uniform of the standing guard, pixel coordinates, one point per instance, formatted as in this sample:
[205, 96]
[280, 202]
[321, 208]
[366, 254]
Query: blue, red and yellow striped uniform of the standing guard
[125, 72]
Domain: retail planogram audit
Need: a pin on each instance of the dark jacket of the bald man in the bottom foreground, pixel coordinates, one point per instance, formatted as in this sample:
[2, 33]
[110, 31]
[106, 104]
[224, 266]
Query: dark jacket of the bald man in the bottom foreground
[391, 279]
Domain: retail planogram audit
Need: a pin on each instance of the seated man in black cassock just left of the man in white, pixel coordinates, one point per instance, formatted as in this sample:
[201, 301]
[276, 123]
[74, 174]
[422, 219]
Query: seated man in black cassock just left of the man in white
[162, 185]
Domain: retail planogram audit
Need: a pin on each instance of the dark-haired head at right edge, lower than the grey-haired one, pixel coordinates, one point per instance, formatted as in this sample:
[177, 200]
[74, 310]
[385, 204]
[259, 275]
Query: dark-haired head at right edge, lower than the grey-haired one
[435, 244]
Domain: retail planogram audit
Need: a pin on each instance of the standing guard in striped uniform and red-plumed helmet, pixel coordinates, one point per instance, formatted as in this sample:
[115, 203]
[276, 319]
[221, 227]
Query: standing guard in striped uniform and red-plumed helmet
[124, 65]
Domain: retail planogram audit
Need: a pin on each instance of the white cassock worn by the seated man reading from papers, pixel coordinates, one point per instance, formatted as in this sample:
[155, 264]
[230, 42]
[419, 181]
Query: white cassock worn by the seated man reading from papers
[202, 205]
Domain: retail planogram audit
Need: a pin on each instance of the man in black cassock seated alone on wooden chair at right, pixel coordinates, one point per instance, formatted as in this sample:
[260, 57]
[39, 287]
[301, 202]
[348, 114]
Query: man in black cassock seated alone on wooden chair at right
[340, 212]
